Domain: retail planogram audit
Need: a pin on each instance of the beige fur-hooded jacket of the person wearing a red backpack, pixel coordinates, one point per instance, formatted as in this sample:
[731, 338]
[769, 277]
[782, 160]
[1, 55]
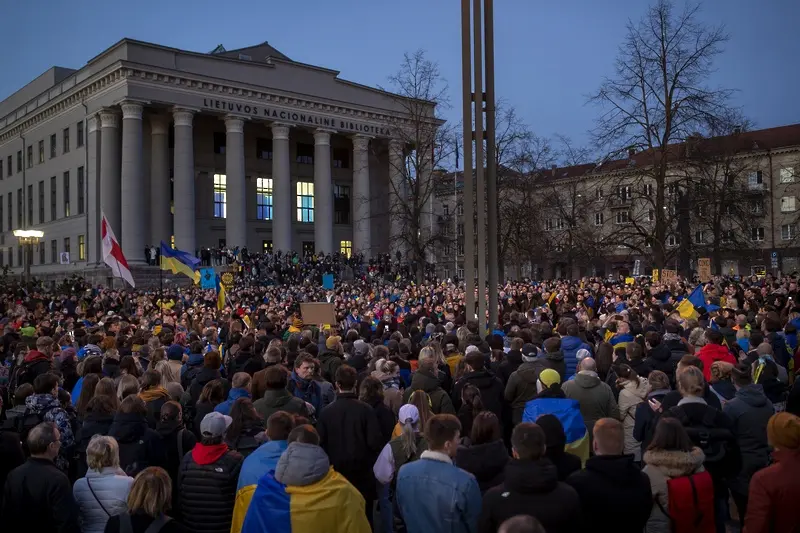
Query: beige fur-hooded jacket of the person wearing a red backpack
[661, 466]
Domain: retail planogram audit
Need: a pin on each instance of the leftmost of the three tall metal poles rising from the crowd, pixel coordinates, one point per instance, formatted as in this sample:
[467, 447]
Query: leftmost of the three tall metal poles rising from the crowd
[467, 195]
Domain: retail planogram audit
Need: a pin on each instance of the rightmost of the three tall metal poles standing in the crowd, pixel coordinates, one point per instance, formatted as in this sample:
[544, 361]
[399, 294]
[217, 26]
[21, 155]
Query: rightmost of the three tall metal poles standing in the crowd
[491, 181]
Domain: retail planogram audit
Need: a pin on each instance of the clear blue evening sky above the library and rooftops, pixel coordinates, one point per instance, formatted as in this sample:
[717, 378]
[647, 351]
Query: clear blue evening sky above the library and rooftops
[549, 55]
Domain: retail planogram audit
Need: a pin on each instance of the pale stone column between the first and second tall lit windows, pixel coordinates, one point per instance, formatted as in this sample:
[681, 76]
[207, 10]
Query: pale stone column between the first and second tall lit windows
[235, 209]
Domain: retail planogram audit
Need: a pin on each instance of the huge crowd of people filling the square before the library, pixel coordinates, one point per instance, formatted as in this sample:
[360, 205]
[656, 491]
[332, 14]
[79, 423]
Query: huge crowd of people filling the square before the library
[589, 404]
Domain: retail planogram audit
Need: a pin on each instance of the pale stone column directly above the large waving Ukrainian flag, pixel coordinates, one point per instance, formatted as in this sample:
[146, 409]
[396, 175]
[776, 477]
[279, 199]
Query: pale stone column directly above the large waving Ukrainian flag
[183, 180]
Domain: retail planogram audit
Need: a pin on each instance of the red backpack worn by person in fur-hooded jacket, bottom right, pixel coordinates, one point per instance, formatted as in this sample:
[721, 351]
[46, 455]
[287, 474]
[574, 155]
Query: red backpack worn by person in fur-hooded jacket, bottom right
[691, 503]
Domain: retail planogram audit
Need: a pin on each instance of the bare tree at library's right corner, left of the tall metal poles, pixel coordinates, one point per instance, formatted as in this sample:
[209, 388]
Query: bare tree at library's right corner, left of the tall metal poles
[426, 144]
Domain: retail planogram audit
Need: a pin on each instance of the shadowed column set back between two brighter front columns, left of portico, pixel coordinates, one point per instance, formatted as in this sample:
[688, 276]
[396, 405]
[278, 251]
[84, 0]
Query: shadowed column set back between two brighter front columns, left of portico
[161, 226]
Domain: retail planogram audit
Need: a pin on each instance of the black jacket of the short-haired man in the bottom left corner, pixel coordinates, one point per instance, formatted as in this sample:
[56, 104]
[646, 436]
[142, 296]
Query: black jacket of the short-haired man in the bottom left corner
[38, 497]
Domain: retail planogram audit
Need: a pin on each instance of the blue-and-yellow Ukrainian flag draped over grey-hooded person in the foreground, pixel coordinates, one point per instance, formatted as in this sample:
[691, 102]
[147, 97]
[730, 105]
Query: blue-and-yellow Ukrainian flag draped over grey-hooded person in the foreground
[332, 501]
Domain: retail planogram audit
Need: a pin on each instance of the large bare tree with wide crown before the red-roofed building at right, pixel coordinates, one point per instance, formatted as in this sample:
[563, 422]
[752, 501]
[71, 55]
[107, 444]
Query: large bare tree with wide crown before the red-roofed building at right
[658, 97]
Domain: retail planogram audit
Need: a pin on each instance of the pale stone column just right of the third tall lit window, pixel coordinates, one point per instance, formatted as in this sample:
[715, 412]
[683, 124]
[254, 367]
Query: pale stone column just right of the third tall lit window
[323, 192]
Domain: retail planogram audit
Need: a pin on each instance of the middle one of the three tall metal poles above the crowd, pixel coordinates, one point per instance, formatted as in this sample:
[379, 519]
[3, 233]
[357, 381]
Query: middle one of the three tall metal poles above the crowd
[480, 202]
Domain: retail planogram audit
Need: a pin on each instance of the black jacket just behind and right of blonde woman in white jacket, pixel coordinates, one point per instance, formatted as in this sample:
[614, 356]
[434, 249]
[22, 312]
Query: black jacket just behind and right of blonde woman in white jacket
[139, 446]
